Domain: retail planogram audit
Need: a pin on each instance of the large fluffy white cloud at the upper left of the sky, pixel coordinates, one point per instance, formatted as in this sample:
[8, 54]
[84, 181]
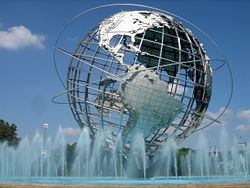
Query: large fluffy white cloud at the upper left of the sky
[19, 37]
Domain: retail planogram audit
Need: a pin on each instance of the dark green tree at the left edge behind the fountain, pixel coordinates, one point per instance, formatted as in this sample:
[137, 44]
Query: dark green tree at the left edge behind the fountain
[8, 133]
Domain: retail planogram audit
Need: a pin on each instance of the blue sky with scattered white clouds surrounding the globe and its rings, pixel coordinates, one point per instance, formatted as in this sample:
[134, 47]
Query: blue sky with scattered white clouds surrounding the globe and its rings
[28, 30]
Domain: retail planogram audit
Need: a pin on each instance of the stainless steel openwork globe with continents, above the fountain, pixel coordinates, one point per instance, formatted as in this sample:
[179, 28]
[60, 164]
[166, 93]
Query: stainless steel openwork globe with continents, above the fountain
[140, 72]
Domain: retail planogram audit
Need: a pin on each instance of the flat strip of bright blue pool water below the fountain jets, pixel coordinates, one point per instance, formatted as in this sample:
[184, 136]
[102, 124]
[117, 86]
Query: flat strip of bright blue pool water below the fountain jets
[179, 180]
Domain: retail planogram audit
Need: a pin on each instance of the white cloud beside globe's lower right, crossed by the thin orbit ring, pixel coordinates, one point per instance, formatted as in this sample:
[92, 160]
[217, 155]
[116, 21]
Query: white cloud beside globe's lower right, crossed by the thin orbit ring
[224, 119]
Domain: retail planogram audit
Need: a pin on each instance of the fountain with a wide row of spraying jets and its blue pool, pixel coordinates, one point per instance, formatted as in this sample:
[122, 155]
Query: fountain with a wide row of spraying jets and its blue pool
[92, 160]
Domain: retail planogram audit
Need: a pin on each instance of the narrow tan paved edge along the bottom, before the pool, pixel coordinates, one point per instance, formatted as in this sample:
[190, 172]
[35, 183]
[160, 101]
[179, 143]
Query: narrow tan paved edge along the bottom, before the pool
[234, 185]
